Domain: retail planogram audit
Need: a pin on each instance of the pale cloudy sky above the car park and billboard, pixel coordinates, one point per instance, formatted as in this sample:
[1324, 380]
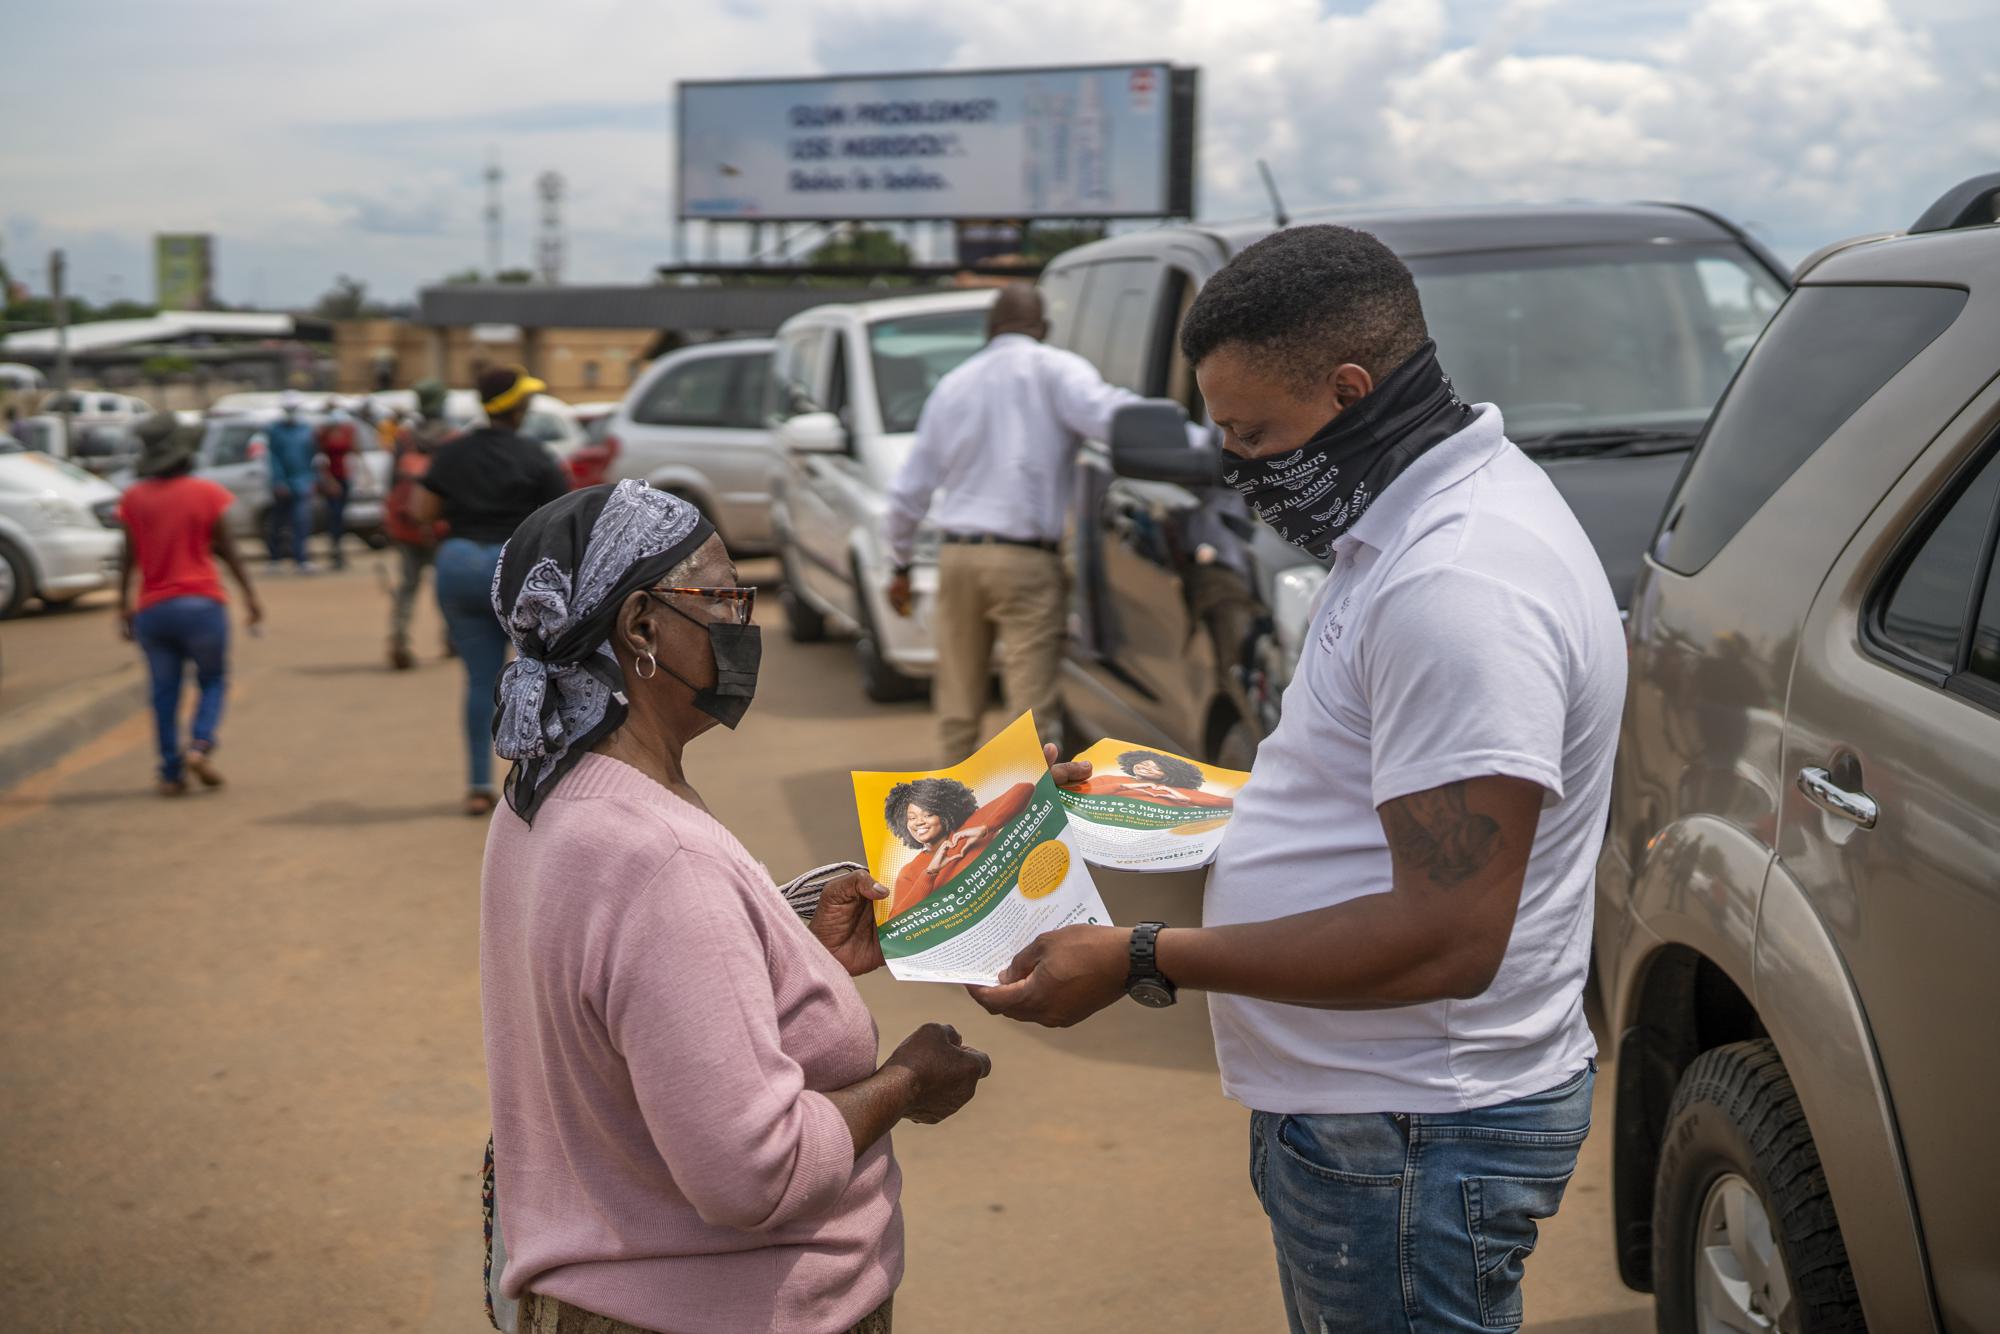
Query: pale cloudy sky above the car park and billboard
[349, 139]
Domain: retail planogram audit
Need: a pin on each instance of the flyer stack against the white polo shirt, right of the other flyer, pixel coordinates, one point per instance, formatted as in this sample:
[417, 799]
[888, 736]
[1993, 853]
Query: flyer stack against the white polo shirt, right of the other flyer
[1149, 809]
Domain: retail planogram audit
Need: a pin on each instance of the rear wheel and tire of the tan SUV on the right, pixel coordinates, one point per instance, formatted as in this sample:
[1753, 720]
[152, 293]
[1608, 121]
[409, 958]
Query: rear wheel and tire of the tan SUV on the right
[1743, 1221]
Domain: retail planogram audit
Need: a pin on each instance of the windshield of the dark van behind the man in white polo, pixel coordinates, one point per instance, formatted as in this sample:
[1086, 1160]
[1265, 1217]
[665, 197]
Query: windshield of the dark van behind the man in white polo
[1597, 337]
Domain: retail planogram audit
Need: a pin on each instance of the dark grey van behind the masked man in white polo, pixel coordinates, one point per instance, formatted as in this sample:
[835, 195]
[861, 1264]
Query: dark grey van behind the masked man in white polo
[1603, 333]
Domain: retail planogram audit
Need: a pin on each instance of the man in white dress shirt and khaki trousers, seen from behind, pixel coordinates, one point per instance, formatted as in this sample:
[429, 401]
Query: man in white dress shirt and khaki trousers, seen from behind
[993, 465]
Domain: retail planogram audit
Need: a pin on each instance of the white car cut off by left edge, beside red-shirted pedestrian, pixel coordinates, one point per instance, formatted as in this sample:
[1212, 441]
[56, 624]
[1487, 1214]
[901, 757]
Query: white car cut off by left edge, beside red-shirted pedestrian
[59, 531]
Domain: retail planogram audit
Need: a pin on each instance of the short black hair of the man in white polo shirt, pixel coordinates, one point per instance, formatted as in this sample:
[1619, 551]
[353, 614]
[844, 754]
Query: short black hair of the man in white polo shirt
[1311, 299]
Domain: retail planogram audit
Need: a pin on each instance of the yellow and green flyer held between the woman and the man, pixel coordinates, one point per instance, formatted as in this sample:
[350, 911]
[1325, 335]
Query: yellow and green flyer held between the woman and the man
[979, 861]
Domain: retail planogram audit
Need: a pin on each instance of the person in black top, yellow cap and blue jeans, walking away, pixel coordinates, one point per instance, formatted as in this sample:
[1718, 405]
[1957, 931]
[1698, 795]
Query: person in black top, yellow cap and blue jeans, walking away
[485, 485]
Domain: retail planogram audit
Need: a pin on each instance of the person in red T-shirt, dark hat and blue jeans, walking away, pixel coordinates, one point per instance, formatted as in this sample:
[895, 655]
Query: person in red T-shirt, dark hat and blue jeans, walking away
[175, 531]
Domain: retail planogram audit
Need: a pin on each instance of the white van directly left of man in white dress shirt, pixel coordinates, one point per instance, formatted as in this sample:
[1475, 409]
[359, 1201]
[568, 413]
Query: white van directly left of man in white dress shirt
[847, 385]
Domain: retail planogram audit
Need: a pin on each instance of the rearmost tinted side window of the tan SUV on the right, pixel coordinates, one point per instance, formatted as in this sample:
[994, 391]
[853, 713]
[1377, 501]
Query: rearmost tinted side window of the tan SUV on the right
[1825, 355]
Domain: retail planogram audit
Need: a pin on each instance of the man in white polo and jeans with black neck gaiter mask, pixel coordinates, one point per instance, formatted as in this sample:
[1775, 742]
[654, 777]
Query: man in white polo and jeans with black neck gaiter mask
[1399, 921]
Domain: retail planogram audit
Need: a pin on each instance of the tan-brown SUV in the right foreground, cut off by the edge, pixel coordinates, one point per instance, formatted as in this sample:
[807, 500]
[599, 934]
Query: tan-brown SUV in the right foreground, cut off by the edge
[1799, 899]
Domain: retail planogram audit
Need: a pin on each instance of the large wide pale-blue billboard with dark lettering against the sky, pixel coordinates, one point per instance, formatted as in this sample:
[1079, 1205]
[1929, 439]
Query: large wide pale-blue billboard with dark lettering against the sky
[1065, 143]
